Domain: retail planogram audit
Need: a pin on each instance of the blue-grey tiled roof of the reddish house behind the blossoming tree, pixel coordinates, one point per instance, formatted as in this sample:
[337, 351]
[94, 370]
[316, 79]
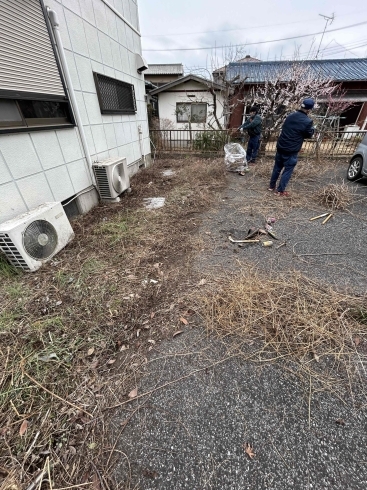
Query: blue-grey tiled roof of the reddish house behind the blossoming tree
[339, 70]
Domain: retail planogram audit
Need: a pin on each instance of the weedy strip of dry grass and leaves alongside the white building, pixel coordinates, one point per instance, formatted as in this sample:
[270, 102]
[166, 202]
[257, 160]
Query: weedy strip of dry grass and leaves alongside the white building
[74, 335]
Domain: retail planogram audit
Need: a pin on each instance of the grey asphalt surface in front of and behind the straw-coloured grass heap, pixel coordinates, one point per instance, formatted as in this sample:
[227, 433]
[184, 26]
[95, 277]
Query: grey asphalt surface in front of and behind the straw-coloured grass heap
[190, 433]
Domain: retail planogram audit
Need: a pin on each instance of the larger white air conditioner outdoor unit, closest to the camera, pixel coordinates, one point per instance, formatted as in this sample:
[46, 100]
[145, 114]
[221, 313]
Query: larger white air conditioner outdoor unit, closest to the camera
[34, 237]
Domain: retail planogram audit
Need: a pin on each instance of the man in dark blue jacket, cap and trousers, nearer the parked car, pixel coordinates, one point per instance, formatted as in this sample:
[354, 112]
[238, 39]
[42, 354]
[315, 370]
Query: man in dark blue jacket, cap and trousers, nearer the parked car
[296, 128]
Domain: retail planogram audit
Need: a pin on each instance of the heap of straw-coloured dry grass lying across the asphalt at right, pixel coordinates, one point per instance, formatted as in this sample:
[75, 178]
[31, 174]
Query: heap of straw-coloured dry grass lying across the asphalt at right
[292, 318]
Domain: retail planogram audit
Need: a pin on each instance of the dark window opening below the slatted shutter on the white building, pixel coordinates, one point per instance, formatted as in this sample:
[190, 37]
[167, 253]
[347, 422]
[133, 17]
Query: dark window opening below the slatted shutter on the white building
[21, 113]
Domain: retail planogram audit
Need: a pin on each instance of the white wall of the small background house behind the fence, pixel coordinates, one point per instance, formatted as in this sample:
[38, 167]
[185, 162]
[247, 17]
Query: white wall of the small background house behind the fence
[181, 94]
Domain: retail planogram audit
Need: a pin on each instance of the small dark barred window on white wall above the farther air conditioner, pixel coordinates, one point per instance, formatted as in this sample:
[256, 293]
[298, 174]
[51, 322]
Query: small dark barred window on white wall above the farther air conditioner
[115, 97]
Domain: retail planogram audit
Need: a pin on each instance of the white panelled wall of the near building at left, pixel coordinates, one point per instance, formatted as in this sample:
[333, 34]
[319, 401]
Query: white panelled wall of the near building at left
[50, 165]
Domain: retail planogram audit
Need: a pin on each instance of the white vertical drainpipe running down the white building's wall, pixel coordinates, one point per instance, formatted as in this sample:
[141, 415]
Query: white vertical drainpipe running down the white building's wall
[60, 48]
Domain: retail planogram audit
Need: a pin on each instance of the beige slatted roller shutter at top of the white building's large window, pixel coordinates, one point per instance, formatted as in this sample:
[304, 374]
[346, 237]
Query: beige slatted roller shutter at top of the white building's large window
[27, 60]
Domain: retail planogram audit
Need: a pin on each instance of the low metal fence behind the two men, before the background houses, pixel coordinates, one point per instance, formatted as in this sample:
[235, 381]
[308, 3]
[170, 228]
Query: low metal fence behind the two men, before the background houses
[325, 144]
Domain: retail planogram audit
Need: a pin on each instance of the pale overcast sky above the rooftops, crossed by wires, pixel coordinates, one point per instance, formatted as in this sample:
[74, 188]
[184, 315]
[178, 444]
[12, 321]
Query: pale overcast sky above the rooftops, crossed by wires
[172, 24]
